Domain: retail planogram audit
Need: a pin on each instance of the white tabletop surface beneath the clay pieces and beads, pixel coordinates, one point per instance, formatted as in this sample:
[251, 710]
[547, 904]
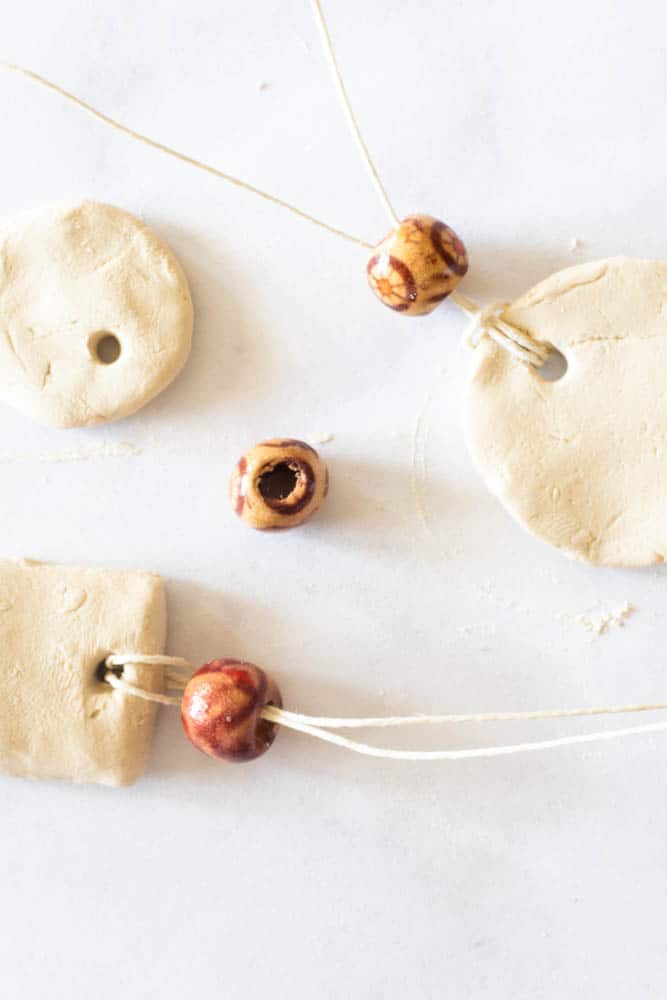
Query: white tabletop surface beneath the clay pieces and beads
[314, 873]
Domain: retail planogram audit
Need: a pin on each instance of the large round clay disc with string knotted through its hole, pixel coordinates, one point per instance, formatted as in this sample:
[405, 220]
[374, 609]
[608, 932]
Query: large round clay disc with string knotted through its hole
[582, 462]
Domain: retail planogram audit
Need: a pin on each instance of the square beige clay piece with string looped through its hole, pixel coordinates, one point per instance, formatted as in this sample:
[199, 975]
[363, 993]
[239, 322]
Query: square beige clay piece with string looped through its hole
[57, 624]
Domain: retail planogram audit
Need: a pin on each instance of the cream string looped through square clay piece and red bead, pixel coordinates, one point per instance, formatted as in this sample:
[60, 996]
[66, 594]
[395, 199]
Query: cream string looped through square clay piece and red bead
[319, 726]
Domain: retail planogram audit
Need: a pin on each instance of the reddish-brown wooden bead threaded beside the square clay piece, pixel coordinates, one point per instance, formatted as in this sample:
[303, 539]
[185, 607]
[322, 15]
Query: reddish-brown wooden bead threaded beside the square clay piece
[221, 710]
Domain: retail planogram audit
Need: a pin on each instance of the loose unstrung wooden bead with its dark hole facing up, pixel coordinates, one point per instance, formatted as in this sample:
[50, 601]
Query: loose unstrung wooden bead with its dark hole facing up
[278, 484]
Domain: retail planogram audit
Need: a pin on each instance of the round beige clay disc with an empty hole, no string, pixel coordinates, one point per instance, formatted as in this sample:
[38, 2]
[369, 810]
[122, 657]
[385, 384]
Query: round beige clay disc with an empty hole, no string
[95, 315]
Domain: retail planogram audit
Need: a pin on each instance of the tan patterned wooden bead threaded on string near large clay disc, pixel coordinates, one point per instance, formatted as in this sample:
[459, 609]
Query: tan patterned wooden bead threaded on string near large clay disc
[417, 266]
